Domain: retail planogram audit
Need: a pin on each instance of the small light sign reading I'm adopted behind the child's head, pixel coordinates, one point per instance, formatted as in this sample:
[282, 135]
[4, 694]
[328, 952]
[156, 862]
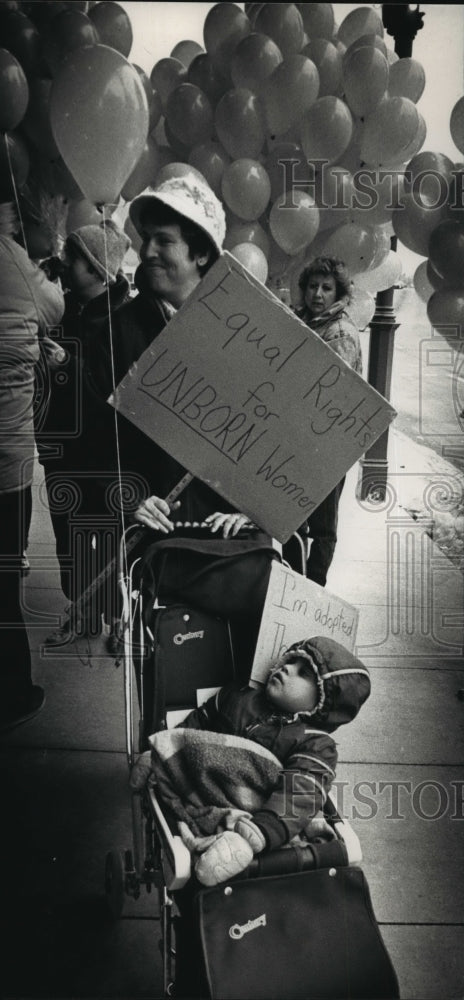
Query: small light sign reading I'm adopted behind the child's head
[296, 608]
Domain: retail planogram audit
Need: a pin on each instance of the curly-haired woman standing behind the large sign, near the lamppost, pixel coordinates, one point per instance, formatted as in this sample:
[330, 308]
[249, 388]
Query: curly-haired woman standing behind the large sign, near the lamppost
[325, 288]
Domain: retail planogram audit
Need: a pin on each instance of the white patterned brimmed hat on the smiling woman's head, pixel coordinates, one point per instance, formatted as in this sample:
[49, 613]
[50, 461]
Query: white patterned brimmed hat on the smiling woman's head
[189, 197]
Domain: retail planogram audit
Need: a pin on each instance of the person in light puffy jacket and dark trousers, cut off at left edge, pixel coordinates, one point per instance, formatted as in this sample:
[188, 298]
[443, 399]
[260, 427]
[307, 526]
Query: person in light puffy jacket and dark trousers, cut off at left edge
[29, 305]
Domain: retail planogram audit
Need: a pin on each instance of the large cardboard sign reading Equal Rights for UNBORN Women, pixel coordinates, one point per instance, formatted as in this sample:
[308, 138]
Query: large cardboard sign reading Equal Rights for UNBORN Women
[251, 401]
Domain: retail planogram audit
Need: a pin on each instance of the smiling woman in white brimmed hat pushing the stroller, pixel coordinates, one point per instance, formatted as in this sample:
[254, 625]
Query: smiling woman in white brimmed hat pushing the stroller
[182, 227]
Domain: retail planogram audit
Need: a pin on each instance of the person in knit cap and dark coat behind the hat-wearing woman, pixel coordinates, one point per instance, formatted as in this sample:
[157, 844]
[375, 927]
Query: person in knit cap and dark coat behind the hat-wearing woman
[93, 257]
